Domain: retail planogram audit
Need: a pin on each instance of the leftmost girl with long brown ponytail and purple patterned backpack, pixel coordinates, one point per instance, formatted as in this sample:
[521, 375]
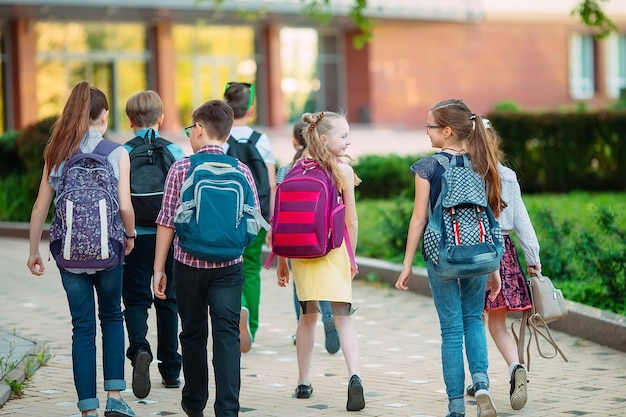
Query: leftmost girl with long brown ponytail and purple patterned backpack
[77, 136]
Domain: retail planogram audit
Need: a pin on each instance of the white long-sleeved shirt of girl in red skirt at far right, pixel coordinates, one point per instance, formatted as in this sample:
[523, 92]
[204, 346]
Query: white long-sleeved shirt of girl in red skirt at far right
[515, 216]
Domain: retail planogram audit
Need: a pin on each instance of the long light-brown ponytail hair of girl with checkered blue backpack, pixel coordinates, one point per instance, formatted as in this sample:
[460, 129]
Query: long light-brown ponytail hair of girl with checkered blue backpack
[482, 148]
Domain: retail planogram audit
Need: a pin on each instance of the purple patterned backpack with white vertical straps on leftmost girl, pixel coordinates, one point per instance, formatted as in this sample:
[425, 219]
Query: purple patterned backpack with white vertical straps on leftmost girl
[87, 229]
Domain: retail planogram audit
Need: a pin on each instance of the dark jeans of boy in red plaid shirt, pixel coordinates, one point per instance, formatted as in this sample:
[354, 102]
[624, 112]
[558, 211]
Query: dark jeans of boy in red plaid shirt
[199, 291]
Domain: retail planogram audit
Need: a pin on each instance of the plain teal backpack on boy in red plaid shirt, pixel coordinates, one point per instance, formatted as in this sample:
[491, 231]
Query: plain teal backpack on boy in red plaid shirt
[216, 218]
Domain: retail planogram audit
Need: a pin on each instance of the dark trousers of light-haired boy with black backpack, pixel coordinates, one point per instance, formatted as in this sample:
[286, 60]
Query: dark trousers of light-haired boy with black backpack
[138, 298]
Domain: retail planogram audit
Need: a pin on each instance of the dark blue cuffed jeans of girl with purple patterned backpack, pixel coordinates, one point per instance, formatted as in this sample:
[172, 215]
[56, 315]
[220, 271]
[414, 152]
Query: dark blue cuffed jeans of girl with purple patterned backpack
[80, 296]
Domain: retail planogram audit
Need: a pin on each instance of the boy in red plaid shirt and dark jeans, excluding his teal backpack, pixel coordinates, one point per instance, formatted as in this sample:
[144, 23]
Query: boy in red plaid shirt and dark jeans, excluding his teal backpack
[203, 285]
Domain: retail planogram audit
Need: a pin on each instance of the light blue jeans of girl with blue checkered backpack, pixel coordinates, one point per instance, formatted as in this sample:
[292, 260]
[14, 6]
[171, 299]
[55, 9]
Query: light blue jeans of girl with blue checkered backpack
[459, 304]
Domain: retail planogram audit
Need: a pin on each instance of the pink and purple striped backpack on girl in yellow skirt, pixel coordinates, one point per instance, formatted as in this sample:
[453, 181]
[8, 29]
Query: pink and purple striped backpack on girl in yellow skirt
[309, 215]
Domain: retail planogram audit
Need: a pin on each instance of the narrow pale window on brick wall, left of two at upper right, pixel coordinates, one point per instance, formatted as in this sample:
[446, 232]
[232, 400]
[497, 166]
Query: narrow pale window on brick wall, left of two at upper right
[582, 66]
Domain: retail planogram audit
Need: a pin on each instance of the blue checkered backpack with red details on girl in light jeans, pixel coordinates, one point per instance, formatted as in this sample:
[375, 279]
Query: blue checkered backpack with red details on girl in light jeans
[462, 238]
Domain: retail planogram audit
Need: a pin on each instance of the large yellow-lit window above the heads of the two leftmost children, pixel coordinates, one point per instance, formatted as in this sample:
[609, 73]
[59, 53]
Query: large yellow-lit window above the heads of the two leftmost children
[111, 57]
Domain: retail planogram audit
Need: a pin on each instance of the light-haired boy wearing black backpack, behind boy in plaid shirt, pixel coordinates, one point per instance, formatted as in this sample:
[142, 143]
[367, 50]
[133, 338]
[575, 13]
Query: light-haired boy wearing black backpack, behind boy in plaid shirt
[145, 114]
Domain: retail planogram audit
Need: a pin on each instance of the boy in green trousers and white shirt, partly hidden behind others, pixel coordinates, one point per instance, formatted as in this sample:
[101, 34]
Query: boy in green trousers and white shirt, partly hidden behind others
[255, 150]
